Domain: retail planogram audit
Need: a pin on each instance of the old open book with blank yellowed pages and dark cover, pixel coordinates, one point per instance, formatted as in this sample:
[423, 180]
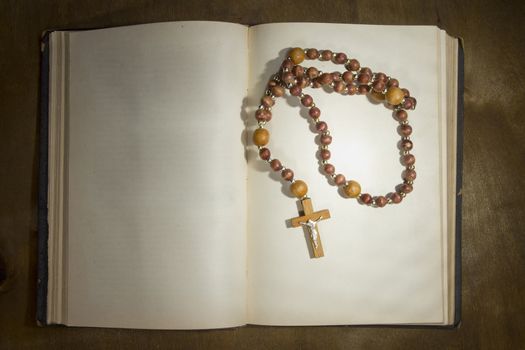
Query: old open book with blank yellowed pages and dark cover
[156, 211]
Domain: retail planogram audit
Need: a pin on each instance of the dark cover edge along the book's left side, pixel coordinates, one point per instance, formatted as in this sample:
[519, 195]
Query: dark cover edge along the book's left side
[42, 272]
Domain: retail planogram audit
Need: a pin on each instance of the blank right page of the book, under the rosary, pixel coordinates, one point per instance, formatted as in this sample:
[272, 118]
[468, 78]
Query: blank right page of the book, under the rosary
[381, 265]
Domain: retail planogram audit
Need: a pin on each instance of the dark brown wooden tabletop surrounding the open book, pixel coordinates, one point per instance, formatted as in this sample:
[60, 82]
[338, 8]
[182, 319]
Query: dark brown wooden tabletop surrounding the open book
[494, 164]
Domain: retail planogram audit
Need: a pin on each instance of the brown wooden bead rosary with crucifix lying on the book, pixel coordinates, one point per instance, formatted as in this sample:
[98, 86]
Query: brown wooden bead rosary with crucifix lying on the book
[355, 80]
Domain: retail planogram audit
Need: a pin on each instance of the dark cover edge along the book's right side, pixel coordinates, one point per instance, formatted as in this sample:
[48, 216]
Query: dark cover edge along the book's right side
[459, 184]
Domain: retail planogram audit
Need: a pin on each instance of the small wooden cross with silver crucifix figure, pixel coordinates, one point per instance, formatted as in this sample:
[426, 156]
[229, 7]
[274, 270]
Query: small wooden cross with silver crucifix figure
[309, 221]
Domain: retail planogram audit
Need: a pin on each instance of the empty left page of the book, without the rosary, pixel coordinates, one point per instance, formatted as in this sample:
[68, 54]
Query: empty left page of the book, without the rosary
[157, 176]
